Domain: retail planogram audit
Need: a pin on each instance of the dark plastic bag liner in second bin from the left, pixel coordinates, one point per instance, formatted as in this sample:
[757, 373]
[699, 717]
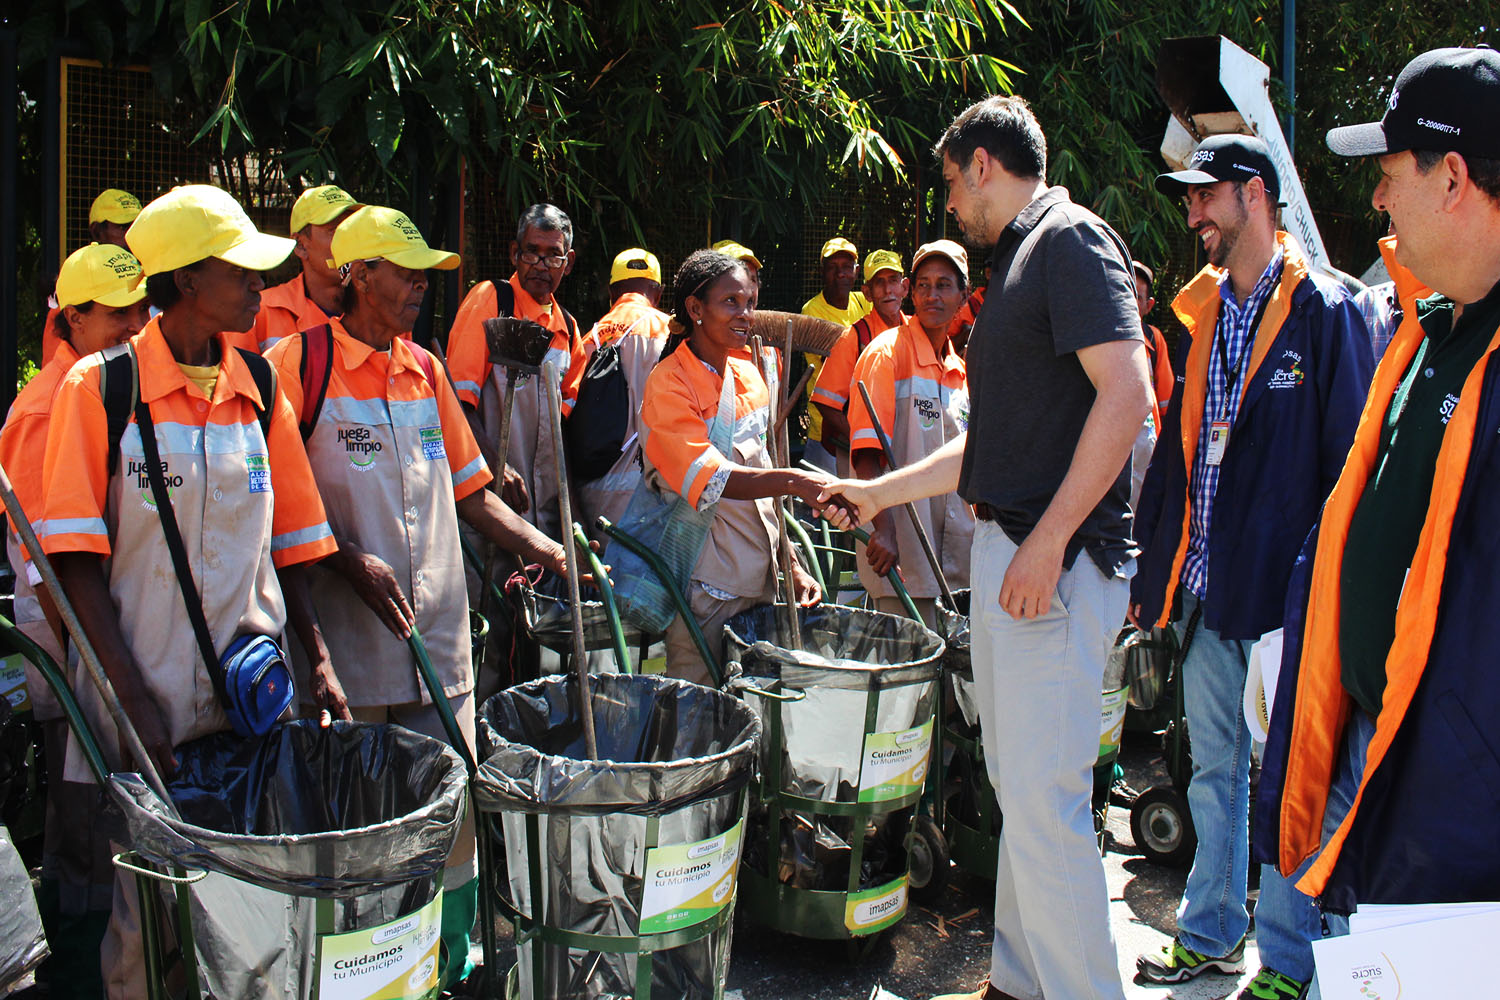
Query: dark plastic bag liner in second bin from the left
[670, 750]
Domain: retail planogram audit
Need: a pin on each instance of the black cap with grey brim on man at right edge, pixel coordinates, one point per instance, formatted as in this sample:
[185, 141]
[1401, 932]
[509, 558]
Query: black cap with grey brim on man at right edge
[1444, 101]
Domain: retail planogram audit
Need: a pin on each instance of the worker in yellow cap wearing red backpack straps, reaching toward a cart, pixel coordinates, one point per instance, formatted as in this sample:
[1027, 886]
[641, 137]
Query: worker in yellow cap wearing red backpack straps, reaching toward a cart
[398, 466]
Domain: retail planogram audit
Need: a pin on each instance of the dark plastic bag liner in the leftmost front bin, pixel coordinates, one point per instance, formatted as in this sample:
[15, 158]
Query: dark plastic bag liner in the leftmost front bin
[358, 813]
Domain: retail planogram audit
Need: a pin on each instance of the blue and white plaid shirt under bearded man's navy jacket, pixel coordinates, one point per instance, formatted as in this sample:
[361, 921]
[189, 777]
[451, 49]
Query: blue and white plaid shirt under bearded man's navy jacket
[1237, 332]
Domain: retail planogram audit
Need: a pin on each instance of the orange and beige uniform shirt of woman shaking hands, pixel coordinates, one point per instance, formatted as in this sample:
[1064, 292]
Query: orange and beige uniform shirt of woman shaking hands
[682, 398]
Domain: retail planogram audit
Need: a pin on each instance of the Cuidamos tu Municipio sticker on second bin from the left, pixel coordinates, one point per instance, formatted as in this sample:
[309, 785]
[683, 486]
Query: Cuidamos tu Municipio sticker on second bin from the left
[688, 884]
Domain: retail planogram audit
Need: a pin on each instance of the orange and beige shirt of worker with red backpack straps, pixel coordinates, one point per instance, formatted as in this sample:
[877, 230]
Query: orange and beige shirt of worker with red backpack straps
[392, 454]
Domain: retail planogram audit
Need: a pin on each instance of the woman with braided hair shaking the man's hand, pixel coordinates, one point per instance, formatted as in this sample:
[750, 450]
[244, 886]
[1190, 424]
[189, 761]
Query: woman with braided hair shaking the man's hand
[707, 364]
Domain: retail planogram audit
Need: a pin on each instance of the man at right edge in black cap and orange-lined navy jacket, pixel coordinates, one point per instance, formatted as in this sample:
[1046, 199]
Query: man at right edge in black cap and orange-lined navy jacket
[1382, 776]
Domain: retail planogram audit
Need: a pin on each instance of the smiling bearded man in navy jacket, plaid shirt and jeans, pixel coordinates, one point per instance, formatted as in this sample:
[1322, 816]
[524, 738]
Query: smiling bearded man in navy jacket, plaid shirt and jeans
[1277, 370]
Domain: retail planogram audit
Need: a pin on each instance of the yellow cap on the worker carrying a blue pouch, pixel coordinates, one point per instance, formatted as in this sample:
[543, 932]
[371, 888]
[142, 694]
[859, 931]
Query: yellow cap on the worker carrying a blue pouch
[194, 223]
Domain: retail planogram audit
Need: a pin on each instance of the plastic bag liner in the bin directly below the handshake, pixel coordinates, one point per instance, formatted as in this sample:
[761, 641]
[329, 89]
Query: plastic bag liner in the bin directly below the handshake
[847, 653]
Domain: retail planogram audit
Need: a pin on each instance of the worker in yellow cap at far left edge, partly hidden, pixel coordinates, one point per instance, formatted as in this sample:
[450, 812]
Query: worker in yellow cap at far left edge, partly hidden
[101, 305]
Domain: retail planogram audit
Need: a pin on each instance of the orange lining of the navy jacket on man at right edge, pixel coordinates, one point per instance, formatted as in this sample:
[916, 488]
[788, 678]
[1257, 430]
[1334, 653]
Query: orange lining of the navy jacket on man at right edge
[1322, 707]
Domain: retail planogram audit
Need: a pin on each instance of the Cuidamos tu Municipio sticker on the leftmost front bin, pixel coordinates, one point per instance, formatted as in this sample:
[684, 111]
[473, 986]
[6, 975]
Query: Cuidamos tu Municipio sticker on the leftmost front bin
[394, 962]
